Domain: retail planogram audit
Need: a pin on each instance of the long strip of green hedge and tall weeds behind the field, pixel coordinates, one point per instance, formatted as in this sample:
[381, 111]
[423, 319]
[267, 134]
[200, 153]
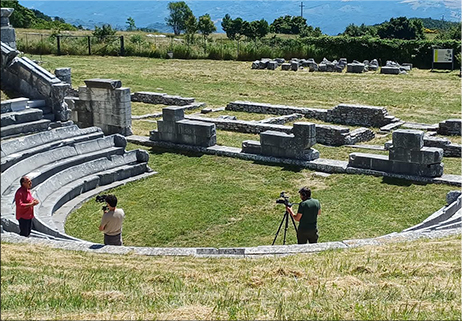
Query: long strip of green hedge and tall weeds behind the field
[417, 52]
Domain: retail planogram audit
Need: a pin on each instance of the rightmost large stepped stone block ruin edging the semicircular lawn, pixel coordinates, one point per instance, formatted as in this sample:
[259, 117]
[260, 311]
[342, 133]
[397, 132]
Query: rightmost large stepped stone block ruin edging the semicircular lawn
[407, 156]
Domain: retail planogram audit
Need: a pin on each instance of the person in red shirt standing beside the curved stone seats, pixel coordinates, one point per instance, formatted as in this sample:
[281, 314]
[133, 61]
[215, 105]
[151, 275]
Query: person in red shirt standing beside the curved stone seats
[25, 206]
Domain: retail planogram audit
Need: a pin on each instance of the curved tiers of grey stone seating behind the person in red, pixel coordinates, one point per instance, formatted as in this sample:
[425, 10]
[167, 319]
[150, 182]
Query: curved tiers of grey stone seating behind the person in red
[63, 163]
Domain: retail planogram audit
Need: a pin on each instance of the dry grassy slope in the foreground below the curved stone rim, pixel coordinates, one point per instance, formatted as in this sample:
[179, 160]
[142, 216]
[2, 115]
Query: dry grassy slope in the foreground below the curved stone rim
[417, 280]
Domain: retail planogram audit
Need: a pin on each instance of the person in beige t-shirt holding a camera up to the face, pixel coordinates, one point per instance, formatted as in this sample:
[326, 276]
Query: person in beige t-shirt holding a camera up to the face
[111, 222]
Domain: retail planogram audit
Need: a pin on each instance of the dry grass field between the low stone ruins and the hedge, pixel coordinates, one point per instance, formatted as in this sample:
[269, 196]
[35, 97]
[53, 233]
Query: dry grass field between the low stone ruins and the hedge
[420, 96]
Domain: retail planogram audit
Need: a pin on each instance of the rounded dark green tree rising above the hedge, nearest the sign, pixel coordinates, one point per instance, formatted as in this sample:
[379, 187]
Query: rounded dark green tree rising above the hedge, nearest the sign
[401, 28]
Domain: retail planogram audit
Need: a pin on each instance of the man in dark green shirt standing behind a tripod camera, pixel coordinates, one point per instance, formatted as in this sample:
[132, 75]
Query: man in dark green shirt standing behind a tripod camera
[307, 216]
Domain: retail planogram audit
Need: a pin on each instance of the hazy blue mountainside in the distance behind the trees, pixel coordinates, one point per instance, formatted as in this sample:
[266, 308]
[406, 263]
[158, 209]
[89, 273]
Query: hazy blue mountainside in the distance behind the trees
[331, 16]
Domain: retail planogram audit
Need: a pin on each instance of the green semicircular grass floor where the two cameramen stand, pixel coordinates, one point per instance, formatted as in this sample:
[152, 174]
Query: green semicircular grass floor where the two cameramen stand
[204, 200]
